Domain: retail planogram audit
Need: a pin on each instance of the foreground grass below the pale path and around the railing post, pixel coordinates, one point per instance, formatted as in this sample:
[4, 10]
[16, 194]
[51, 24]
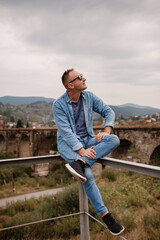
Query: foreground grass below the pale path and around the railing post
[133, 199]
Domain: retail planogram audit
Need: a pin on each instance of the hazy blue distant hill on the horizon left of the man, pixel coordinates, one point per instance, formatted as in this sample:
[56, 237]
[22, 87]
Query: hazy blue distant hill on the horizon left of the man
[23, 100]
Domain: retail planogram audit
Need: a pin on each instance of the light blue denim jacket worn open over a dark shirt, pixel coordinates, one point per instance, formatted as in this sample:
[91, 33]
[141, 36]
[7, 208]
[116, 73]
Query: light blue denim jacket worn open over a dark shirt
[63, 116]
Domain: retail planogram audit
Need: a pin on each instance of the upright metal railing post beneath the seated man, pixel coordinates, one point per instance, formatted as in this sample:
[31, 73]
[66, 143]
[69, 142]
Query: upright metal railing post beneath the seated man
[84, 219]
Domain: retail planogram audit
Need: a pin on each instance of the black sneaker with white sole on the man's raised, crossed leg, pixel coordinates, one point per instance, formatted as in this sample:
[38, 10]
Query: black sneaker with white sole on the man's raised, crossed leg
[76, 169]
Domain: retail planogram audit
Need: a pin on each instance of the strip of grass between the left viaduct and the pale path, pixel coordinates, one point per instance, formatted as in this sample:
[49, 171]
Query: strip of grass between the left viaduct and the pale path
[25, 183]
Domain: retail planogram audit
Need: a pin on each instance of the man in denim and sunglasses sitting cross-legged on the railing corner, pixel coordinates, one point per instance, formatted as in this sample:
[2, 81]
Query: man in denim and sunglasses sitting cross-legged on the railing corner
[77, 143]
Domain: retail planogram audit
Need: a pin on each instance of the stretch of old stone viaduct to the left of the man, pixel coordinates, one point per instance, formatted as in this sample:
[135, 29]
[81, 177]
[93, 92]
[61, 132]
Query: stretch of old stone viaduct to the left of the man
[26, 142]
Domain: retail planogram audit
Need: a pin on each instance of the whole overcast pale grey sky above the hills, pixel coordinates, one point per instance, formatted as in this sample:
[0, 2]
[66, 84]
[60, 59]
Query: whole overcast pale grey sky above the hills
[114, 43]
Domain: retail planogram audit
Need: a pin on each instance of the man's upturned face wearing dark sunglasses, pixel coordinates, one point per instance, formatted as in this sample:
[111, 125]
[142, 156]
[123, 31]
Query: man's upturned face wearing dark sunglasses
[79, 82]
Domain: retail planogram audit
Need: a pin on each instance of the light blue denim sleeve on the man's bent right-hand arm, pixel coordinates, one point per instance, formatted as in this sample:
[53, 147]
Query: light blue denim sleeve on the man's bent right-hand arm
[104, 110]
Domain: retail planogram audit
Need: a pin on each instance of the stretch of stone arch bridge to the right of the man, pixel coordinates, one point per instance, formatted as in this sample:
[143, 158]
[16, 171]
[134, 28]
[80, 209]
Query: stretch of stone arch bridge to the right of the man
[146, 141]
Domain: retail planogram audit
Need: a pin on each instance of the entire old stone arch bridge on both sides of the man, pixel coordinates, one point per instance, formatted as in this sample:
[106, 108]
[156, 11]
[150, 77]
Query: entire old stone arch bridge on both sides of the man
[38, 142]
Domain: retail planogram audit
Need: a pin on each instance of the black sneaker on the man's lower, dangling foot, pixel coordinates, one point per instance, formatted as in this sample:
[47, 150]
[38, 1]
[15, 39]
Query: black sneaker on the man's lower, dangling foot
[114, 227]
